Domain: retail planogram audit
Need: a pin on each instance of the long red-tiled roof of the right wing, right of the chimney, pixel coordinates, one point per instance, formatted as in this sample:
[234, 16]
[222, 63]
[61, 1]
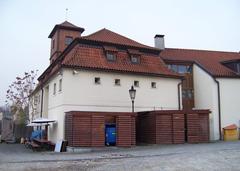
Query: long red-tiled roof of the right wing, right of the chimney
[209, 60]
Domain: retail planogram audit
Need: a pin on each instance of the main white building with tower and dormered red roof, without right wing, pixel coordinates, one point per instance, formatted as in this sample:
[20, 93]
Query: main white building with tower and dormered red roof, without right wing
[94, 73]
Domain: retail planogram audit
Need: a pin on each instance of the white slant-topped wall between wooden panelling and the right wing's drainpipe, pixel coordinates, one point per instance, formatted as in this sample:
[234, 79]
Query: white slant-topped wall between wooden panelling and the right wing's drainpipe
[206, 97]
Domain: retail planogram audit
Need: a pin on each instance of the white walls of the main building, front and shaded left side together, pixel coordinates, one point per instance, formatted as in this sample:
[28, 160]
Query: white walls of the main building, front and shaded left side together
[80, 93]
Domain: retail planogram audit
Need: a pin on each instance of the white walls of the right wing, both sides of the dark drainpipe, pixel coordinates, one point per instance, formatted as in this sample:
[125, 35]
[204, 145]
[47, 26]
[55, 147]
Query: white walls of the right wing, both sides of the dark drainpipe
[206, 97]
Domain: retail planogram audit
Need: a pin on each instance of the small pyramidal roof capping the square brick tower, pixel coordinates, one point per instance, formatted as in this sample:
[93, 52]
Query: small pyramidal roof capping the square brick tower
[66, 26]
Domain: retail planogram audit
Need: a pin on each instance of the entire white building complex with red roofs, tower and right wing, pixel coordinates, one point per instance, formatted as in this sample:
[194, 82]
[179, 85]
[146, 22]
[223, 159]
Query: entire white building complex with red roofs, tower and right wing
[89, 77]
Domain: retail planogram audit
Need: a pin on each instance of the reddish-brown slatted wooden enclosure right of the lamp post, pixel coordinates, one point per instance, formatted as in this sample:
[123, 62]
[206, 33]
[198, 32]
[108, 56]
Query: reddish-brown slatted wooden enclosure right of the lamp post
[173, 126]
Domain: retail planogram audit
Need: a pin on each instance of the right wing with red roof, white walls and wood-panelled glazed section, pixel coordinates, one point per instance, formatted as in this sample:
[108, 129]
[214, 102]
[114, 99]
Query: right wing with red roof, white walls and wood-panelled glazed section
[212, 81]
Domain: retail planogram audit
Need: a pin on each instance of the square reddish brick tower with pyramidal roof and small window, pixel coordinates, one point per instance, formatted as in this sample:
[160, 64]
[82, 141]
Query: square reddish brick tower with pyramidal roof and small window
[61, 36]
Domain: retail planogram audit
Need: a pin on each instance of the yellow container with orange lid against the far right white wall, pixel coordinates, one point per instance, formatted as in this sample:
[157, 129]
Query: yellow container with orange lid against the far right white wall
[230, 133]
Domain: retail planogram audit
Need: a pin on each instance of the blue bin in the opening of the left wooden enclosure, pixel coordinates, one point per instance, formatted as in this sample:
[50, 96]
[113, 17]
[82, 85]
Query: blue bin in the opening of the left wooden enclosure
[110, 132]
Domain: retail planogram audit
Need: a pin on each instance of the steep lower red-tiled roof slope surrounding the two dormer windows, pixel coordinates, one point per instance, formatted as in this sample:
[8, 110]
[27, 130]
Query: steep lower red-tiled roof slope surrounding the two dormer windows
[94, 58]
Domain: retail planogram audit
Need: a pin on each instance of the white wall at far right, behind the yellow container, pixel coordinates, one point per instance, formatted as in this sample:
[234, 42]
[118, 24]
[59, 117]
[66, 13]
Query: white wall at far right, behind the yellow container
[230, 101]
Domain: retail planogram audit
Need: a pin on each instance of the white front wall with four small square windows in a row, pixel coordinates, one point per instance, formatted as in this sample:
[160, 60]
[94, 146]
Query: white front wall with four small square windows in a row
[81, 93]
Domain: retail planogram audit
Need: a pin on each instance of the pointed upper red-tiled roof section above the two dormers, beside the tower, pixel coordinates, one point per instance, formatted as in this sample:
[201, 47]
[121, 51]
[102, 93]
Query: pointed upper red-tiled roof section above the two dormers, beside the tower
[105, 35]
